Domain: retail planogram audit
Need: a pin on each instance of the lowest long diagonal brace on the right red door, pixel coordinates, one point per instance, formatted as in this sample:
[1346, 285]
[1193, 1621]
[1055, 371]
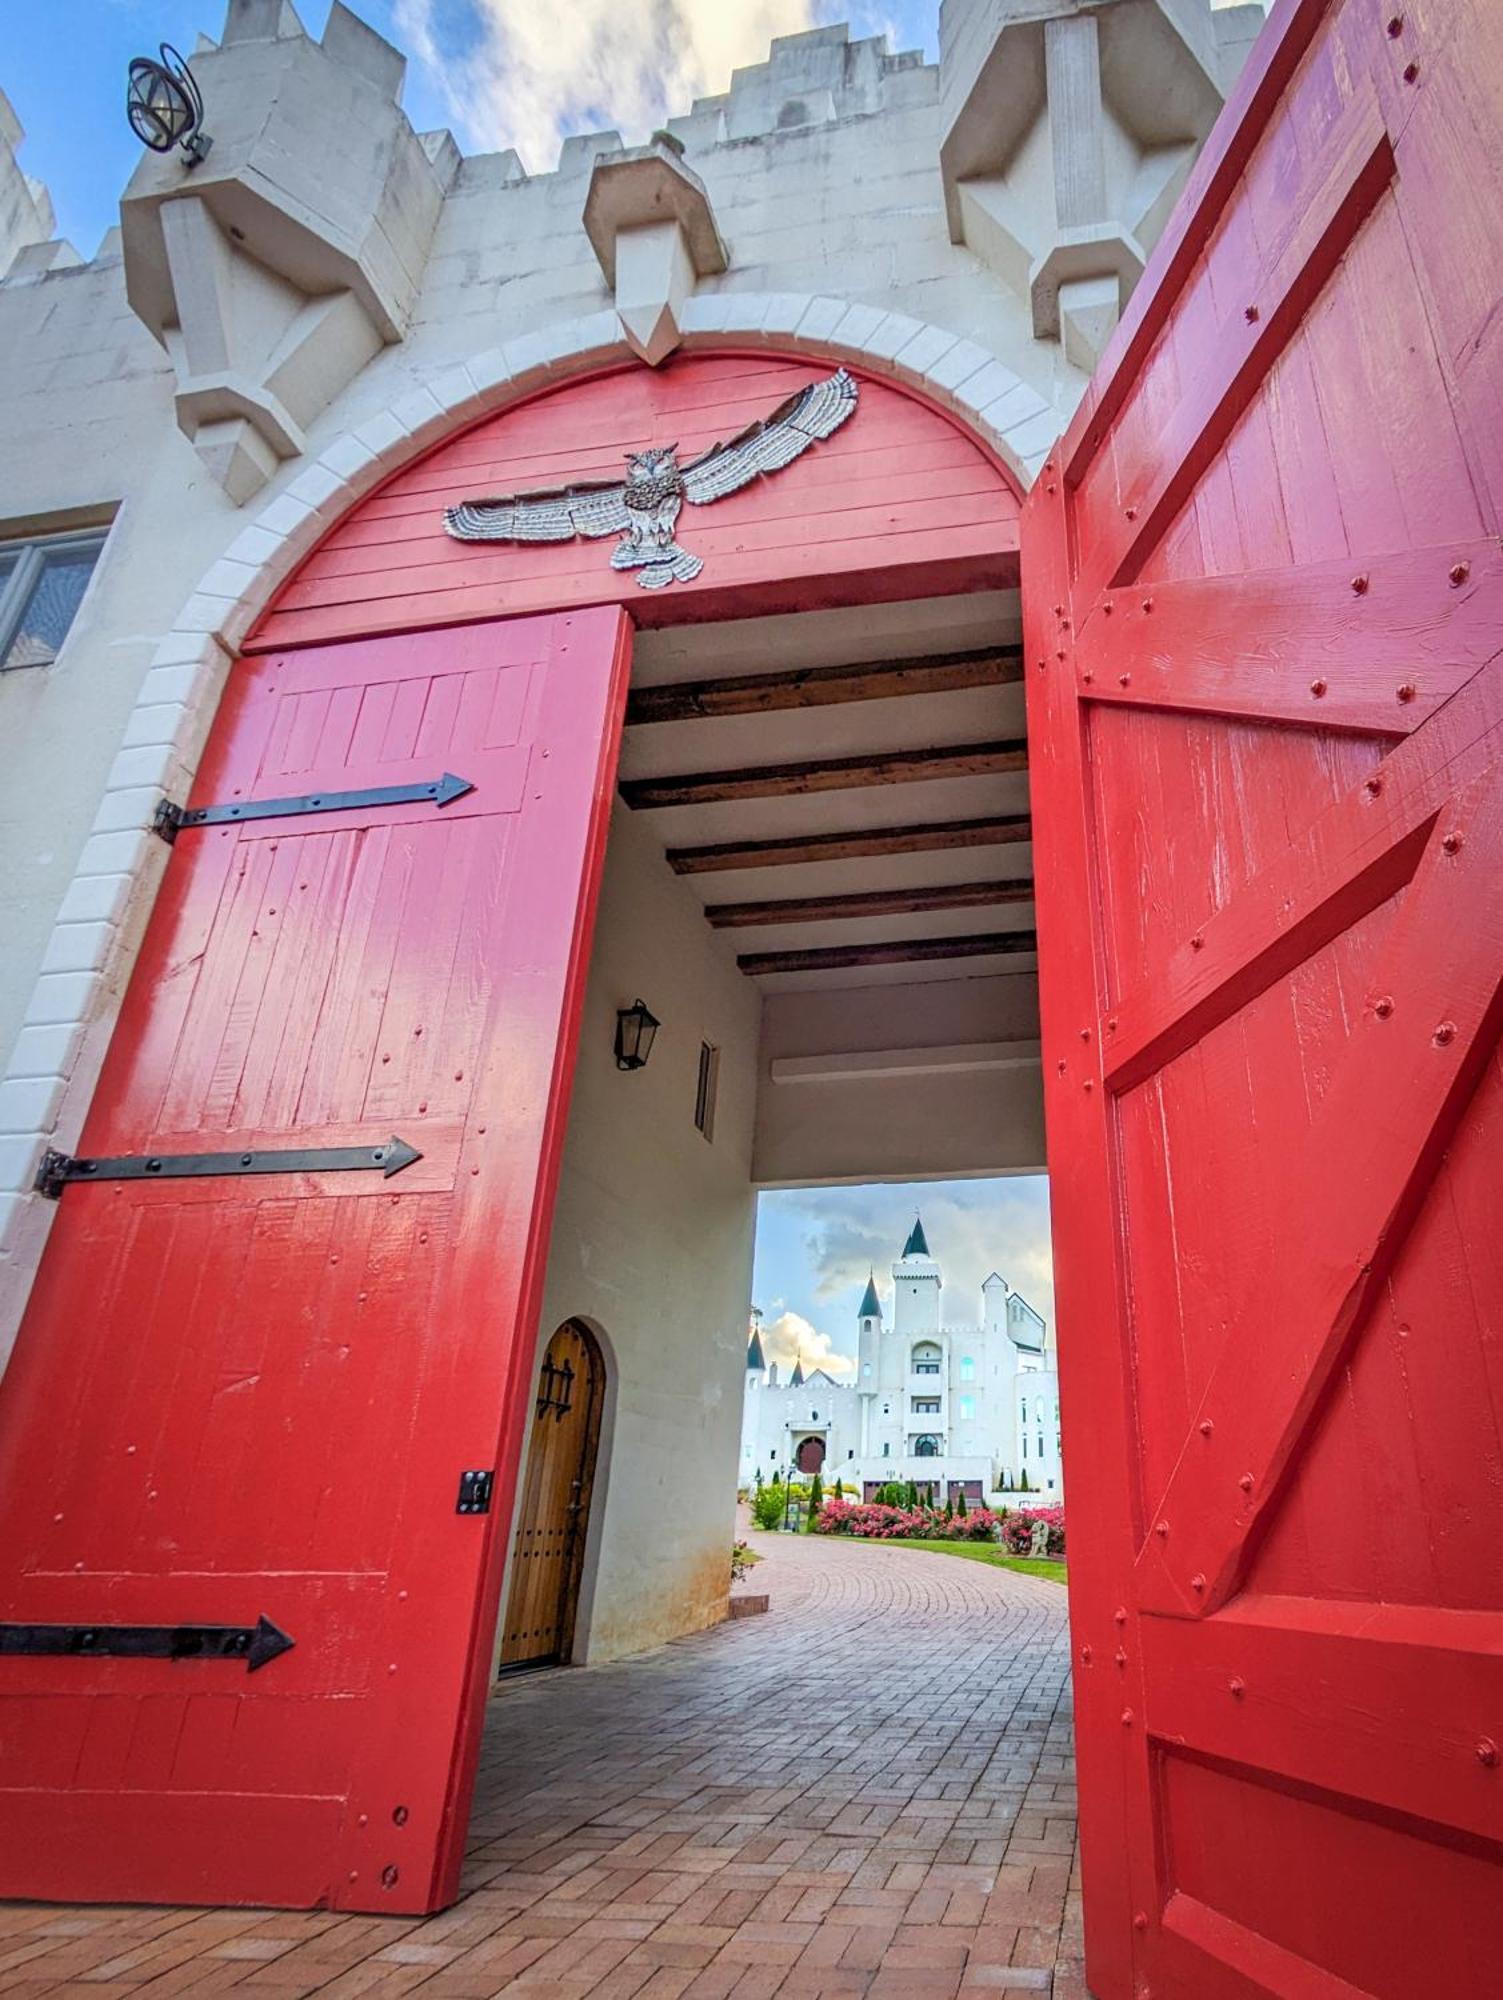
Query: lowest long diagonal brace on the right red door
[1402, 1083]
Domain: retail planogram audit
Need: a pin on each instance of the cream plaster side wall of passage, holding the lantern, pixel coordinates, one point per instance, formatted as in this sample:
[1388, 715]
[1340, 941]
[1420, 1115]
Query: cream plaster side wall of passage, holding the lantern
[653, 1245]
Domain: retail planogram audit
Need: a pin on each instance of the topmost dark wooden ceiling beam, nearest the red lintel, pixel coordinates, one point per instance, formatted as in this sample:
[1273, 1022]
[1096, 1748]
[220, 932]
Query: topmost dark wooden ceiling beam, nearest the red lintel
[820, 687]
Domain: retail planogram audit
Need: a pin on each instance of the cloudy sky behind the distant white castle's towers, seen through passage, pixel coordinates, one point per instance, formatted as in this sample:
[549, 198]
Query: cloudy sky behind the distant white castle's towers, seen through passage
[818, 1245]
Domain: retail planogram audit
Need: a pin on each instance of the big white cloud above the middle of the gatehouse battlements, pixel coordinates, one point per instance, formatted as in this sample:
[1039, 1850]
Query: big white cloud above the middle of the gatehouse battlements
[531, 71]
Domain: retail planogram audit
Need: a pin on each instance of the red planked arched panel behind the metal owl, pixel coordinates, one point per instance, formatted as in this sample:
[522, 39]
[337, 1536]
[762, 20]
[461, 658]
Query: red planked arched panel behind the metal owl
[898, 503]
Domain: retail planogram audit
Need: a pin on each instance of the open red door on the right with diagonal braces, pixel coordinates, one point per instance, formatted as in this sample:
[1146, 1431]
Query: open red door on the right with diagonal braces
[1264, 607]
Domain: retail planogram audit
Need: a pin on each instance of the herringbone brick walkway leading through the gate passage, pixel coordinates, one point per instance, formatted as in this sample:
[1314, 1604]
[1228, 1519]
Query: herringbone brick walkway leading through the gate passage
[864, 1793]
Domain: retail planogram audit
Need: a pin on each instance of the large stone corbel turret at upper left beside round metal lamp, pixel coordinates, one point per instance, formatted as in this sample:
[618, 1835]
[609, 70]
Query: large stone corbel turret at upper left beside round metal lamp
[281, 265]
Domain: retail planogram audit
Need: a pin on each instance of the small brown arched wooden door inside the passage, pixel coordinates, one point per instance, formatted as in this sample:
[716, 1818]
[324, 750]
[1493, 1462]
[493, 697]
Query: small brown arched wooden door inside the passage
[555, 1511]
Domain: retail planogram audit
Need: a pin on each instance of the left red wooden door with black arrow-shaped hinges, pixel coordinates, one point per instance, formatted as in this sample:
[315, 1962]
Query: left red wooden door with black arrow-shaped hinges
[255, 1397]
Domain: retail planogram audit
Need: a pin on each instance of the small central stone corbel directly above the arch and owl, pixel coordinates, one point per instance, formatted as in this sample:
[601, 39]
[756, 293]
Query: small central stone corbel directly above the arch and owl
[649, 221]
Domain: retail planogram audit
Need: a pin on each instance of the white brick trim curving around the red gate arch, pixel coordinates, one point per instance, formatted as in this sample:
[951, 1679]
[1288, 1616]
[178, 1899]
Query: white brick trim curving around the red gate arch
[57, 1061]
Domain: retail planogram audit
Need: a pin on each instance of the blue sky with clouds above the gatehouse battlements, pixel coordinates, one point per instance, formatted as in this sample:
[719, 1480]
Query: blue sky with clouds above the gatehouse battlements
[499, 73]
